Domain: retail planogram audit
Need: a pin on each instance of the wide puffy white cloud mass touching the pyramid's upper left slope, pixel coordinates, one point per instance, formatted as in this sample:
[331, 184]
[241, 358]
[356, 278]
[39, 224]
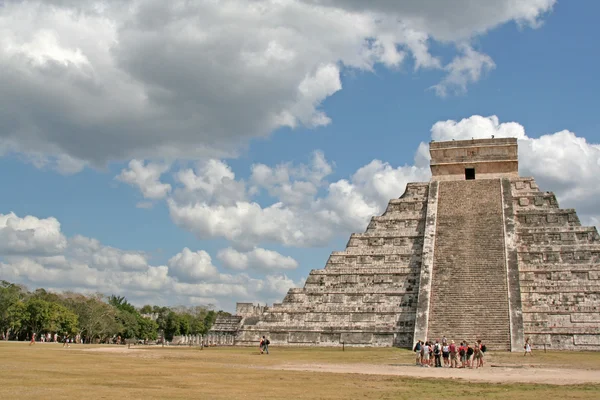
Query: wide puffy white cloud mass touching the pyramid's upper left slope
[298, 216]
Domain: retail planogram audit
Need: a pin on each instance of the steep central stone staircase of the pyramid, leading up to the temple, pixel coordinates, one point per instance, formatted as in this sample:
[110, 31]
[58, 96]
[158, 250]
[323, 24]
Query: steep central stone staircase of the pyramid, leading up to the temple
[469, 297]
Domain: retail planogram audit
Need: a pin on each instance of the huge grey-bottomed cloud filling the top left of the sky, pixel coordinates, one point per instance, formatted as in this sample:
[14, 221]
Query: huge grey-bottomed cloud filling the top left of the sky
[96, 81]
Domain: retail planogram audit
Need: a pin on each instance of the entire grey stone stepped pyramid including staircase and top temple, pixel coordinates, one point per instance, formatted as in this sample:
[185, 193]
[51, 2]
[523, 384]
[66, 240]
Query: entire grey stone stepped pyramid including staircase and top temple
[476, 252]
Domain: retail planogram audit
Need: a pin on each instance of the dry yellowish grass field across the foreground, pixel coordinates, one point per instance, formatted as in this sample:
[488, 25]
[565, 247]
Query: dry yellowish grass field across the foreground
[48, 371]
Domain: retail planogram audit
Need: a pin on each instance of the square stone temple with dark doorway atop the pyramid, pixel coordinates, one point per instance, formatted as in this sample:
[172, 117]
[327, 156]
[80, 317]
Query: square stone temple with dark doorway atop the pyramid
[474, 159]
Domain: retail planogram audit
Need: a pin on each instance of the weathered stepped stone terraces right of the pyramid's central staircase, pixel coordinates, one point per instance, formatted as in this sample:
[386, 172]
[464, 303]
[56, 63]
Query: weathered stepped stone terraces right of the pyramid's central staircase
[559, 271]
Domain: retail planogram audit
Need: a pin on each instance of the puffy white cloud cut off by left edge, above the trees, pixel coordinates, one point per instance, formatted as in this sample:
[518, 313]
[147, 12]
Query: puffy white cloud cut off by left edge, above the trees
[30, 235]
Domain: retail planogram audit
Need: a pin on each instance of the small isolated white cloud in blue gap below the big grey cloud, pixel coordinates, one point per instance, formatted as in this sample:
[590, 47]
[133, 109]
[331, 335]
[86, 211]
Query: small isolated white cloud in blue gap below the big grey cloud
[146, 177]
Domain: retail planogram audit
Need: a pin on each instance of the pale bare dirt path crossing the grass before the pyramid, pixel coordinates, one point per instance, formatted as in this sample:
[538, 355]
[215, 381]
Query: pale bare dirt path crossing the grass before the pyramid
[501, 374]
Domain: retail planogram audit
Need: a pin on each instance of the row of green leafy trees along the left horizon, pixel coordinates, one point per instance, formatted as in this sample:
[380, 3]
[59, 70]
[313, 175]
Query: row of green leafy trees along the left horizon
[94, 318]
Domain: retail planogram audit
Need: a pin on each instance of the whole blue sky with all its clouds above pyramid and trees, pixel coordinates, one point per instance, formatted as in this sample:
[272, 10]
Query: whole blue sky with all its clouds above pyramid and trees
[543, 79]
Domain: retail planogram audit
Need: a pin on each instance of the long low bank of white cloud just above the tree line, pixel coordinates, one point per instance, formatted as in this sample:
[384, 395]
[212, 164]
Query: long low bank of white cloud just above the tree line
[84, 264]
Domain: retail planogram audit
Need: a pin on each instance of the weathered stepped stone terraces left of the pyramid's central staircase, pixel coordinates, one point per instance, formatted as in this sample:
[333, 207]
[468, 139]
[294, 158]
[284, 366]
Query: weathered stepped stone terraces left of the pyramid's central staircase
[366, 295]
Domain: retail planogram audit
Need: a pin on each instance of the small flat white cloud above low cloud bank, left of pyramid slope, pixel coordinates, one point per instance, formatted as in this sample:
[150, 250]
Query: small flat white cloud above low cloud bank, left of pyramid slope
[257, 259]
